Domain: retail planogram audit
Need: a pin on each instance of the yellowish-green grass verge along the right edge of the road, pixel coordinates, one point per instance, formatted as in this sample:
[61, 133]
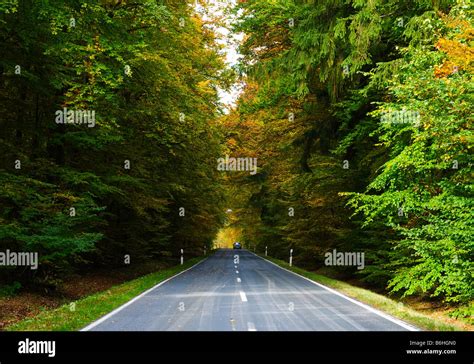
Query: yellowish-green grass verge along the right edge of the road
[380, 302]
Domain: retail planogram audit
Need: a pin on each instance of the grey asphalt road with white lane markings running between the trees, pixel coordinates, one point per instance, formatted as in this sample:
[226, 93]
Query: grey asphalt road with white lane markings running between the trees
[252, 295]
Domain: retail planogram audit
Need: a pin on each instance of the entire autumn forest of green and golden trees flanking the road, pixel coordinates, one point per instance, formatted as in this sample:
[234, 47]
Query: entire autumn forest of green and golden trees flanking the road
[357, 114]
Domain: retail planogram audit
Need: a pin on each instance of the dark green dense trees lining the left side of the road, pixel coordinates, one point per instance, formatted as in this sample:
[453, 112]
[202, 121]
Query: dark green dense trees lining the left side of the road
[149, 70]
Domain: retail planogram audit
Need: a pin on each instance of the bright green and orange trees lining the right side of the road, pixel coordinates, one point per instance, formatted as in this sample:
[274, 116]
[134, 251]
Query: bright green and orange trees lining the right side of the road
[361, 109]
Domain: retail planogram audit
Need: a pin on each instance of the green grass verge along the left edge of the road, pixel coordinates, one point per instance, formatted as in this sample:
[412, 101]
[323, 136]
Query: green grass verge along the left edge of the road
[91, 308]
